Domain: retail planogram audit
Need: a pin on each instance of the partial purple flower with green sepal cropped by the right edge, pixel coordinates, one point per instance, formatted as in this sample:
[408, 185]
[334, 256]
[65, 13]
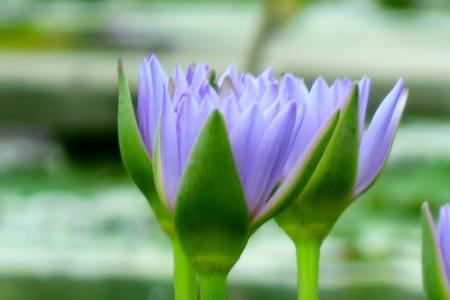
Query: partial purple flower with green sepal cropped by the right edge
[436, 253]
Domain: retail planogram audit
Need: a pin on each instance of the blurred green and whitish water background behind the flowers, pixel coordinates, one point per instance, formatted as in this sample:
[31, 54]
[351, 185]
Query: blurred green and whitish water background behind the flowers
[73, 226]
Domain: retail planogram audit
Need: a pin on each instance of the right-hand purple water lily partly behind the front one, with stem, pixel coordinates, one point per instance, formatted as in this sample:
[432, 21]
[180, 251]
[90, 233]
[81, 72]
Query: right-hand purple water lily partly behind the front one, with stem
[350, 164]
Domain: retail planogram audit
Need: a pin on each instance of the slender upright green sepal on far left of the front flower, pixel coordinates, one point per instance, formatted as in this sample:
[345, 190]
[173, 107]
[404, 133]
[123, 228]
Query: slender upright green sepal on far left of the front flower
[135, 157]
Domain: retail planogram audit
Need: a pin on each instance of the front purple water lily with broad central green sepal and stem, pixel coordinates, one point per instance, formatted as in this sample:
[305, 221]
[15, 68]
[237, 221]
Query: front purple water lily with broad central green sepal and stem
[224, 155]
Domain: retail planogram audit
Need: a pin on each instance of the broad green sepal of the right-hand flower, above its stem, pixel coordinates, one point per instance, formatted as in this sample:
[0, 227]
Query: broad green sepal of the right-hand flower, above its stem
[329, 191]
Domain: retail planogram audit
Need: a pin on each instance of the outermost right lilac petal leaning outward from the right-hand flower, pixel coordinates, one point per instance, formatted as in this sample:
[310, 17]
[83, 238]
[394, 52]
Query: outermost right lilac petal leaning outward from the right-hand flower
[376, 143]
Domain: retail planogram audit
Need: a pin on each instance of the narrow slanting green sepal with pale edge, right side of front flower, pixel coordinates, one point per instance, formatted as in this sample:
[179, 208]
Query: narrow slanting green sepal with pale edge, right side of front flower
[300, 176]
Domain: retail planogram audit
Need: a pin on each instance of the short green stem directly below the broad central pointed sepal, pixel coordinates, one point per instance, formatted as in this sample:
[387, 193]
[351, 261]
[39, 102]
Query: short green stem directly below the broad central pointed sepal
[213, 286]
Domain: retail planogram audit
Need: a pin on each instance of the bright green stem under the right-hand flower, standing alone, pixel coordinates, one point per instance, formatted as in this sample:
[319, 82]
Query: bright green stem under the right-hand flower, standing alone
[308, 252]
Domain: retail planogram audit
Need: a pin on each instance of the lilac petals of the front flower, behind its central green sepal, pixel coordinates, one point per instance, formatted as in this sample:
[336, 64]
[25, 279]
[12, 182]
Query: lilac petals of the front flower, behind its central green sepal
[263, 118]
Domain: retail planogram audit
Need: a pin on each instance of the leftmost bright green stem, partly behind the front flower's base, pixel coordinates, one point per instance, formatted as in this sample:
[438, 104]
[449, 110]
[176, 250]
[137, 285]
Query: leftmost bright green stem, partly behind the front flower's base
[184, 275]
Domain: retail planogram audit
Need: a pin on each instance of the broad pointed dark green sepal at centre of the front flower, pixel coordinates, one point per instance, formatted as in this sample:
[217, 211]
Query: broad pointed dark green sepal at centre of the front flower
[211, 217]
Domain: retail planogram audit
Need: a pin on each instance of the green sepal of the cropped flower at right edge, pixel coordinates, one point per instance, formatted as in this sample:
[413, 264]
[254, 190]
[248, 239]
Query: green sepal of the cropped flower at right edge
[434, 278]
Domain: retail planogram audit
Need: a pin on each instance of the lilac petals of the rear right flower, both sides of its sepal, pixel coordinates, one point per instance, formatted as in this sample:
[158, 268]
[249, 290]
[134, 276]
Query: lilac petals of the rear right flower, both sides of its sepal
[375, 141]
